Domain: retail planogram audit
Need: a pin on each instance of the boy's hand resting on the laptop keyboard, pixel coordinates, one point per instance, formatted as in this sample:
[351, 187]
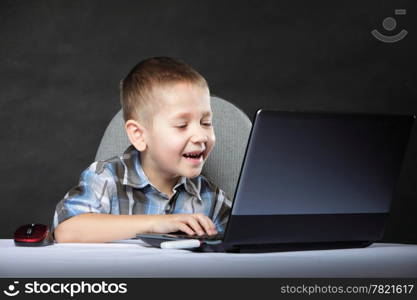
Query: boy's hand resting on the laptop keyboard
[191, 224]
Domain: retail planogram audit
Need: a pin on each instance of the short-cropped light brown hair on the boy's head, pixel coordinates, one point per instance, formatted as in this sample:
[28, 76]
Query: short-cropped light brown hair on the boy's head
[136, 89]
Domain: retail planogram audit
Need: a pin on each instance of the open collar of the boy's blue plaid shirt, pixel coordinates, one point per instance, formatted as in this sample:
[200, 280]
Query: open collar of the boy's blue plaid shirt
[135, 176]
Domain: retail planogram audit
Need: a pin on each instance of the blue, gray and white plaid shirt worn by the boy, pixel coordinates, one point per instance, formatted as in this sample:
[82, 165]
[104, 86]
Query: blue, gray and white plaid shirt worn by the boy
[119, 186]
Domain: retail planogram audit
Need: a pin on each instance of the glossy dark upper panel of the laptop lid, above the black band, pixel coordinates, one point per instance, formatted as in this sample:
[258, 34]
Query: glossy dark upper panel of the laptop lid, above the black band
[312, 163]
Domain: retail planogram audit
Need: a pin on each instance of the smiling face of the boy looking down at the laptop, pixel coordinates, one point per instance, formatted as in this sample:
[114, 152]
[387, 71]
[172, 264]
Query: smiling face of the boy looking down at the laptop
[181, 125]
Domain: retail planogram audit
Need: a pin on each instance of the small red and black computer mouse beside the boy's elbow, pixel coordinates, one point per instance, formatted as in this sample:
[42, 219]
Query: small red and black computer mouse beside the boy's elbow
[33, 235]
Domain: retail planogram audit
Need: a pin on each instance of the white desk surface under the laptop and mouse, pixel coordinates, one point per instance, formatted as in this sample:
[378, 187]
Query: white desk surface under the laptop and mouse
[135, 259]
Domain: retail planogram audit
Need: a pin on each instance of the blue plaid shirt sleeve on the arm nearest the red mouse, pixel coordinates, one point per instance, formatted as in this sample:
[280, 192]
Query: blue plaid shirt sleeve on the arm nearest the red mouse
[91, 195]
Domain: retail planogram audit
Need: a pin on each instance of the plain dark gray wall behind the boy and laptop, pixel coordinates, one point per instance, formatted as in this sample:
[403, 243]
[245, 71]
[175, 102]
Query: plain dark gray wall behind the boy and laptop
[61, 62]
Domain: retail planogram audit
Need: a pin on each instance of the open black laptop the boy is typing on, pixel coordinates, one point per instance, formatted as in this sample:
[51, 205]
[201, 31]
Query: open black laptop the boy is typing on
[311, 181]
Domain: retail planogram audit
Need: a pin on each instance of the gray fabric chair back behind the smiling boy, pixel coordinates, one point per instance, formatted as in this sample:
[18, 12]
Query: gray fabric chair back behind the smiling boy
[232, 128]
